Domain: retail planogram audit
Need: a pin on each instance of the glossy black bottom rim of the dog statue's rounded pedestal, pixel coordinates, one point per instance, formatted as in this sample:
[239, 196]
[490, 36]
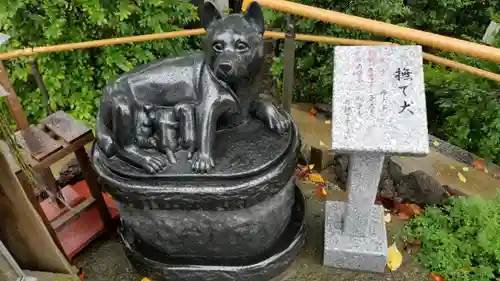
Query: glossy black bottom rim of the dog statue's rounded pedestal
[154, 264]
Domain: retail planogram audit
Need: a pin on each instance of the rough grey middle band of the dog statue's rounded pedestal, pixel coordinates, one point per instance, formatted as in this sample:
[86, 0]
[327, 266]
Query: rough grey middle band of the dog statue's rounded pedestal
[201, 234]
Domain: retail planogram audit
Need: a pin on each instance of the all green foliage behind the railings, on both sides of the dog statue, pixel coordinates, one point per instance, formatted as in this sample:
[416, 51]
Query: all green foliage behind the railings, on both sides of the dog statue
[462, 108]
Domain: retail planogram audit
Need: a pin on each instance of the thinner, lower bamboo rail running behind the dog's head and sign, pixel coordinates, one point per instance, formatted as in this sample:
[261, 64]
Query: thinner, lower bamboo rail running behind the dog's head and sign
[268, 34]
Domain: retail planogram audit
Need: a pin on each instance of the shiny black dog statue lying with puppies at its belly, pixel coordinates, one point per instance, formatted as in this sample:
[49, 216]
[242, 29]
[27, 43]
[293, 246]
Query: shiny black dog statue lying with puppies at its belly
[156, 110]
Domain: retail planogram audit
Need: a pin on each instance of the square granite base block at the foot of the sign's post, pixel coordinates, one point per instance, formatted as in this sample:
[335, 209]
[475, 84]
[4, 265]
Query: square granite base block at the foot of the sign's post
[352, 252]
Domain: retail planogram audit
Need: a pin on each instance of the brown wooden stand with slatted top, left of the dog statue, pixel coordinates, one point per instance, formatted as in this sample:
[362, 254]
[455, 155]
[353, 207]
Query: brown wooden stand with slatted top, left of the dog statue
[43, 144]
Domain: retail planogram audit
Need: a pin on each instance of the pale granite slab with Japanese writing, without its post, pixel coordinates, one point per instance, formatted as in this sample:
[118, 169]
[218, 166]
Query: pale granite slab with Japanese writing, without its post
[379, 100]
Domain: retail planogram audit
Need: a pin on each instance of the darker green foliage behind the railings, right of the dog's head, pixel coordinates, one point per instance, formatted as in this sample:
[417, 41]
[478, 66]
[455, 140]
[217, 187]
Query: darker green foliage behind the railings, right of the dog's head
[462, 108]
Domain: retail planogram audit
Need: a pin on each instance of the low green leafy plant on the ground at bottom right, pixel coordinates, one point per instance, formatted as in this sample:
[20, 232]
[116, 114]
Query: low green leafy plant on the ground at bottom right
[460, 240]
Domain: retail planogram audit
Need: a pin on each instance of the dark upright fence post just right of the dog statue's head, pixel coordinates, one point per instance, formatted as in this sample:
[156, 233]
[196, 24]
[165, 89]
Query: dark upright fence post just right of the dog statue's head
[289, 63]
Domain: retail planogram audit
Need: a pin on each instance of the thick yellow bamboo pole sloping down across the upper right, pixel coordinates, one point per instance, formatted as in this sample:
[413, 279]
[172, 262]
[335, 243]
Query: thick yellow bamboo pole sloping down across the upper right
[421, 37]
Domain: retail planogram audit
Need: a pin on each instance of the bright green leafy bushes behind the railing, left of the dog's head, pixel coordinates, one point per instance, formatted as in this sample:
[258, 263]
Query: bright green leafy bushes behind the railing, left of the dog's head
[74, 79]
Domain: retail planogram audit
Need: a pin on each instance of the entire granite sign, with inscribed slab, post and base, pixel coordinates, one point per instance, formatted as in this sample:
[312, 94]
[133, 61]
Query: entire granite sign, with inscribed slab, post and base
[378, 109]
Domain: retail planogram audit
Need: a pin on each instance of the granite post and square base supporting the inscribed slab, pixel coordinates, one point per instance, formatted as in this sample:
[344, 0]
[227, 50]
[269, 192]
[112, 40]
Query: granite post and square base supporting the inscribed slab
[355, 234]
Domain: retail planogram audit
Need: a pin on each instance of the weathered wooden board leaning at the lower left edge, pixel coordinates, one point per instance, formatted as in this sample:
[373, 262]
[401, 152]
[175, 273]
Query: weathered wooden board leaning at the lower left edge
[23, 230]
